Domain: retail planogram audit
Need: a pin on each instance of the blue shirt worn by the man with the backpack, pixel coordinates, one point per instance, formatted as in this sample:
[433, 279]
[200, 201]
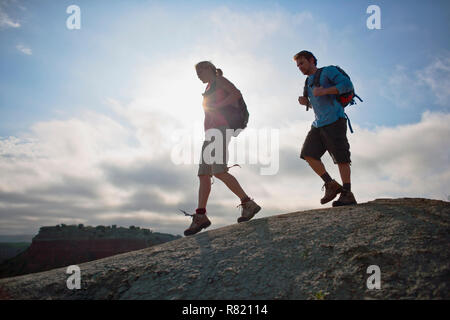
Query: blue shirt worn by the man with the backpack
[326, 108]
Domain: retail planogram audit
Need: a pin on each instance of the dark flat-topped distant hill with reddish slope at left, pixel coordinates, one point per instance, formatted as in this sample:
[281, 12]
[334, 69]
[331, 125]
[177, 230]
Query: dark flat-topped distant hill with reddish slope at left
[64, 245]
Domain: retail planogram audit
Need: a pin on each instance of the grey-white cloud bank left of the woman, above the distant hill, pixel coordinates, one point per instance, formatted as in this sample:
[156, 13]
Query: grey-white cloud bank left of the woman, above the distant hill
[85, 170]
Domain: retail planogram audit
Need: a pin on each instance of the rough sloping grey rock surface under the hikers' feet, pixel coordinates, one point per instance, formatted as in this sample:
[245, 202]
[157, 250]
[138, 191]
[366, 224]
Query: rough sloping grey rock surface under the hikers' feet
[315, 254]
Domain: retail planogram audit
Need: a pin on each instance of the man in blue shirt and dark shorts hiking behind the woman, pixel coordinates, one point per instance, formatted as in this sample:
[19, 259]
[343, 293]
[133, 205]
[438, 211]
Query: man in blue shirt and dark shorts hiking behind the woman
[329, 129]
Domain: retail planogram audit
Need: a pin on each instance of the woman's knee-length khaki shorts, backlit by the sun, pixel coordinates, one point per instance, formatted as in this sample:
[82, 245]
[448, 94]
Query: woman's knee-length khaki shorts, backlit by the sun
[214, 156]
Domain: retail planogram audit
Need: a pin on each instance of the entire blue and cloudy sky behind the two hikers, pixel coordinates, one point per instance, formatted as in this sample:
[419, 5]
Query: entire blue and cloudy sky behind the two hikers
[92, 119]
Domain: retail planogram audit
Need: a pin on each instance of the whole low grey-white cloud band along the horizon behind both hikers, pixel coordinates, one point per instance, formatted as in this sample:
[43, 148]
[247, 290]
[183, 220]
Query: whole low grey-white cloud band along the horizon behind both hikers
[81, 172]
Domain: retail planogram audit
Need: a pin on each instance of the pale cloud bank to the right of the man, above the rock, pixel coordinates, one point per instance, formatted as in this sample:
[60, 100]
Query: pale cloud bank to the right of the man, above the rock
[409, 160]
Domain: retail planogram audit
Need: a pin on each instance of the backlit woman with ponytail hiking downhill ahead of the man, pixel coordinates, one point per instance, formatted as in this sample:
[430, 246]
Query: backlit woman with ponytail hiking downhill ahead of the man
[219, 93]
